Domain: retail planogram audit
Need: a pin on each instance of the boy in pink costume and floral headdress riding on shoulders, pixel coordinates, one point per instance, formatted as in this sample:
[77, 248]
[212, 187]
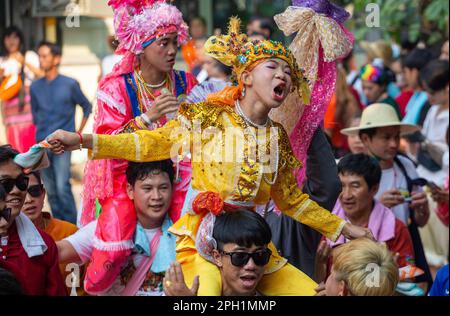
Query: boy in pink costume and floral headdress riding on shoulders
[148, 32]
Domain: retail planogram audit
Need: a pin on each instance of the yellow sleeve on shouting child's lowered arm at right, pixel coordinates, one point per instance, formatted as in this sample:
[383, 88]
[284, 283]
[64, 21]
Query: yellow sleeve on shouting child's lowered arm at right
[293, 202]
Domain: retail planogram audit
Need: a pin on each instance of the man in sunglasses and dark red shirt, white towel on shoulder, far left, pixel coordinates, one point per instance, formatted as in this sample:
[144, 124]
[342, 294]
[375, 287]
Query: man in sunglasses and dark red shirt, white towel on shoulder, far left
[28, 253]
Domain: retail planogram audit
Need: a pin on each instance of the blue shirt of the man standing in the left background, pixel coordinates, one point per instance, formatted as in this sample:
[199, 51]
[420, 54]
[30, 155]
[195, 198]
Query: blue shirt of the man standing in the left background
[53, 105]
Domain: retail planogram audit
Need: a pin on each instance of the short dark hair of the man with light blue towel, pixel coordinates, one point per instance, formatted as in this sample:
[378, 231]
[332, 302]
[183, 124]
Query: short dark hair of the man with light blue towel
[140, 170]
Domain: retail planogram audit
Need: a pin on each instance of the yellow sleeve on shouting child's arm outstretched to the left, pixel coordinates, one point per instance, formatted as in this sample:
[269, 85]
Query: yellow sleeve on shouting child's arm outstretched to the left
[143, 146]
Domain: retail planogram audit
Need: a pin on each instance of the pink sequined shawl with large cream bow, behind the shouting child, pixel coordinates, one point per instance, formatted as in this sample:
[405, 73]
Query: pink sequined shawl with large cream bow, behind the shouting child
[319, 43]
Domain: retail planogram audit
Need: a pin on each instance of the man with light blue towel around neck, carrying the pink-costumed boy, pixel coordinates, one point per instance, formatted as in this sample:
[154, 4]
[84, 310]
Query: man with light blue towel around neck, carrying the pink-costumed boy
[150, 188]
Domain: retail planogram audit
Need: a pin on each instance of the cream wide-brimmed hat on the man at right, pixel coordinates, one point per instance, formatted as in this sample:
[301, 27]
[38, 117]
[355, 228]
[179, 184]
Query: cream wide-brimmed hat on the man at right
[380, 115]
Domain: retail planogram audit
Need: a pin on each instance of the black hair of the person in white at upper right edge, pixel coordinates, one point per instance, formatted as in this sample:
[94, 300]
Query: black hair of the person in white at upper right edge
[435, 75]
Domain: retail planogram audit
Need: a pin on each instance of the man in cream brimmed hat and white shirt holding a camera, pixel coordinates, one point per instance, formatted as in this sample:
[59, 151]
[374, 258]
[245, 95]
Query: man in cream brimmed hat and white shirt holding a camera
[400, 186]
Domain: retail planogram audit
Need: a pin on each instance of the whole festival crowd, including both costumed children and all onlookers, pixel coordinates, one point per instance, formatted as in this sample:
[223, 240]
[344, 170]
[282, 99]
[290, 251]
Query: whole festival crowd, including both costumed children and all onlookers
[263, 170]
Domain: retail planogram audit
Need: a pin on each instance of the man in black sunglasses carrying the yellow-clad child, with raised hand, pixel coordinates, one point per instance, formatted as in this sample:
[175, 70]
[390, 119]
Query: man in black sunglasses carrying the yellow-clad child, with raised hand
[241, 253]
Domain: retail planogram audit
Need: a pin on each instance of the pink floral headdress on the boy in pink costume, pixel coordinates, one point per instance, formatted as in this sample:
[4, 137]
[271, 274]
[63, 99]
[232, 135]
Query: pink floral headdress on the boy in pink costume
[140, 21]
